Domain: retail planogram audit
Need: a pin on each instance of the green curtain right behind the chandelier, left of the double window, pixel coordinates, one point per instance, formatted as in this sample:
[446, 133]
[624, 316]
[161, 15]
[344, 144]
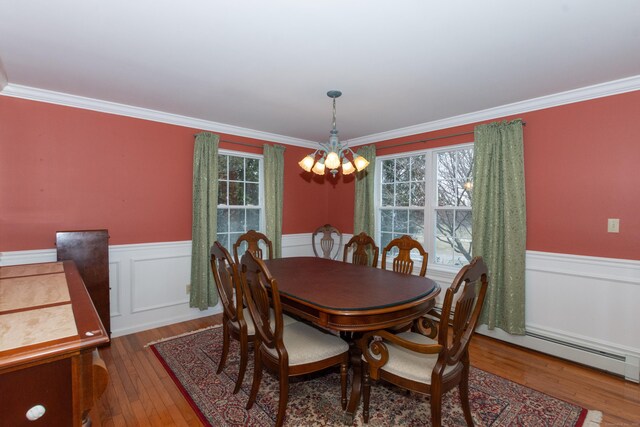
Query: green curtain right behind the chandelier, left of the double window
[364, 218]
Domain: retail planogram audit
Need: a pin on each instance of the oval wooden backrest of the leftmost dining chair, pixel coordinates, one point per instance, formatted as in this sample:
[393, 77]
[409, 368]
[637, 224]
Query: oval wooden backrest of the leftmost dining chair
[226, 277]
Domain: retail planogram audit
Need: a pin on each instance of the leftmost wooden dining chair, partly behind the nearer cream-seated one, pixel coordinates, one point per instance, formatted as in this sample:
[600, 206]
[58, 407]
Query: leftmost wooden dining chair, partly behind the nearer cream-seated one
[236, 320]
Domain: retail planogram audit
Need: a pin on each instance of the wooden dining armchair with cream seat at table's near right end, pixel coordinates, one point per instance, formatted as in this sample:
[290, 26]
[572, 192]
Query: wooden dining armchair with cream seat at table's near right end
[418, 363]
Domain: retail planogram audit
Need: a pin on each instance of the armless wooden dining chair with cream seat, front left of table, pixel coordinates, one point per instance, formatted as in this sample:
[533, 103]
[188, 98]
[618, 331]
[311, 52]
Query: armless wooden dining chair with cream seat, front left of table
[291, 350]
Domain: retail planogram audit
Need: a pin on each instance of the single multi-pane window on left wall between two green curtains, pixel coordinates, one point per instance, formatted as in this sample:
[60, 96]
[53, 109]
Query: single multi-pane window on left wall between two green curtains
[240, 206]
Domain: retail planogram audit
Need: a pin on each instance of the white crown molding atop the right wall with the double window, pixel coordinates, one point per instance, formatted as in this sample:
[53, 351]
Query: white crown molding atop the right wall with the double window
[614, 87]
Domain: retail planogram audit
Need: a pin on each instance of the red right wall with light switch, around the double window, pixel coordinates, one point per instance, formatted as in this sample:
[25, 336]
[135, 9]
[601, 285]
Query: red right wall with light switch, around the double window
[581, 163]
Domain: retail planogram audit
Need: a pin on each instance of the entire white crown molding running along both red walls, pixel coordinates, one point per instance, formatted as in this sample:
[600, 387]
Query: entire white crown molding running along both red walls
[614, 87]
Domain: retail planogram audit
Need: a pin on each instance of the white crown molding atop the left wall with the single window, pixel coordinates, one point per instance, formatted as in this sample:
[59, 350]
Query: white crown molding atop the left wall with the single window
[51, 97]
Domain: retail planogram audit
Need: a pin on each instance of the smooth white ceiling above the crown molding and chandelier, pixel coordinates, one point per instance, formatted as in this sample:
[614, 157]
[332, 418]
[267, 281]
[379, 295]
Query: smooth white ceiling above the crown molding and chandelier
[267, 65]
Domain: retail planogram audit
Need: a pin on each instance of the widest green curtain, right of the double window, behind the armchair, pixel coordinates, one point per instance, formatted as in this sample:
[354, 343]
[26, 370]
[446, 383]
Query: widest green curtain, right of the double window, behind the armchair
[499, 221]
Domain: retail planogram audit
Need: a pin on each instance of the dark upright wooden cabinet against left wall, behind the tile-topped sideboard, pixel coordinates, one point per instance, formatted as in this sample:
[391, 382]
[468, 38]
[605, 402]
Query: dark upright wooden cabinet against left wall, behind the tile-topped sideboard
[89, 250]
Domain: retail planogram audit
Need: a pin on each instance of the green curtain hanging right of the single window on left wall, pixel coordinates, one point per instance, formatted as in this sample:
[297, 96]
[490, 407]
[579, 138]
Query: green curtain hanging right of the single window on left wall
[273, 190]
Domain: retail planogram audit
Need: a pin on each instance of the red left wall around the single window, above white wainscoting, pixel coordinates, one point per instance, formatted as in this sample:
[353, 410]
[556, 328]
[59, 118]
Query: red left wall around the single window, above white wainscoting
[67, 168]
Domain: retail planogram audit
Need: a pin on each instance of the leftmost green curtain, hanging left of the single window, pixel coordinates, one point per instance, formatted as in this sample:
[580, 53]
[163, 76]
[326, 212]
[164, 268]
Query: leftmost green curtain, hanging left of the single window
[203, 228]
